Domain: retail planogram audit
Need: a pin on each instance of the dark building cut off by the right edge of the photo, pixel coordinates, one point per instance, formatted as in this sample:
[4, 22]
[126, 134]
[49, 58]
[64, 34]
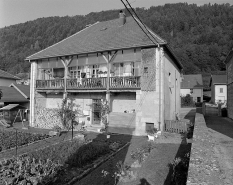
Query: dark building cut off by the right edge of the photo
[229, 68]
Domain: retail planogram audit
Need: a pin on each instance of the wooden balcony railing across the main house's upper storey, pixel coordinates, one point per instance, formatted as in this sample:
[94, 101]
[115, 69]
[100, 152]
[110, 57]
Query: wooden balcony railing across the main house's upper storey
[127, 82]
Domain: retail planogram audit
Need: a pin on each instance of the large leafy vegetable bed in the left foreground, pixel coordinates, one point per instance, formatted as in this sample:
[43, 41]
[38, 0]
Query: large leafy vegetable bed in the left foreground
[57, 164]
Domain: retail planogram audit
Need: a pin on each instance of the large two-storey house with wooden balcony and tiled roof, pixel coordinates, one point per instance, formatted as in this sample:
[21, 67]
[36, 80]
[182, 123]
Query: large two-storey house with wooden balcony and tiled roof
[120, 61]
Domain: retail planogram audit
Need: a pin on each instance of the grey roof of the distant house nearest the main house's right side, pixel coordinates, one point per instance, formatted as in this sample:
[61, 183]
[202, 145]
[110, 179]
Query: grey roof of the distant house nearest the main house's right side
[192, 82]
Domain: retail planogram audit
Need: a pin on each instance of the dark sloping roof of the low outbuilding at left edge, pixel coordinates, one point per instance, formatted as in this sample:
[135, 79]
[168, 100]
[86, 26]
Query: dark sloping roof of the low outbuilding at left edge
[10, 94]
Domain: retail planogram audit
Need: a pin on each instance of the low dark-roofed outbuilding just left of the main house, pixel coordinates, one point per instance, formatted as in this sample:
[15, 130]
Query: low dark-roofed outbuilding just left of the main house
[16, 94]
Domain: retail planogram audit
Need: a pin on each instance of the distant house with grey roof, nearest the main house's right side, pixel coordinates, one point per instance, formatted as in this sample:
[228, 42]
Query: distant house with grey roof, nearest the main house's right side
[193, 85]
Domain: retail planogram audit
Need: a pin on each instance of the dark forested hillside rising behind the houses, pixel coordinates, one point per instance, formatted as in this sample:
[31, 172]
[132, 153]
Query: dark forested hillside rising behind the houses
[201, 36]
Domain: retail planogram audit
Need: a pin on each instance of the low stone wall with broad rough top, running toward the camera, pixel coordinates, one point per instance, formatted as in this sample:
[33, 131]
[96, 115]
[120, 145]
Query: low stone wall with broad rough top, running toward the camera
[204, 167]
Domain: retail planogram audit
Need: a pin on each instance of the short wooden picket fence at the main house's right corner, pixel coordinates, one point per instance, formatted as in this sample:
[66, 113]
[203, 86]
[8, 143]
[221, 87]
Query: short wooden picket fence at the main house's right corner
[176, 126]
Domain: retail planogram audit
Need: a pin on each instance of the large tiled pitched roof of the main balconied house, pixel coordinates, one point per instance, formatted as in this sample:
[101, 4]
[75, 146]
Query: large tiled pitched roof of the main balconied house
[99, 37]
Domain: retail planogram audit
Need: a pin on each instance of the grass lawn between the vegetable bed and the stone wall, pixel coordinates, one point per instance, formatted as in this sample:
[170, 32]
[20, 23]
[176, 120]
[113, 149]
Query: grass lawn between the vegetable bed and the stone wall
[155, 169]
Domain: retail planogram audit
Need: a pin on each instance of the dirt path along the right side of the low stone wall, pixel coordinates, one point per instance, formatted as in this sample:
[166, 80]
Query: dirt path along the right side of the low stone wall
[222, 133]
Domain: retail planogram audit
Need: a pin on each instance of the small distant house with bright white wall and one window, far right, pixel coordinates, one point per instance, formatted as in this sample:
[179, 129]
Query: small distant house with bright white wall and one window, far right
[218, 84]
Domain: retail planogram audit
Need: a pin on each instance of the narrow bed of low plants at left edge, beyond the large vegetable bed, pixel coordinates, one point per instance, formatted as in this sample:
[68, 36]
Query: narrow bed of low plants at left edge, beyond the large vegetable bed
[8, 139]
